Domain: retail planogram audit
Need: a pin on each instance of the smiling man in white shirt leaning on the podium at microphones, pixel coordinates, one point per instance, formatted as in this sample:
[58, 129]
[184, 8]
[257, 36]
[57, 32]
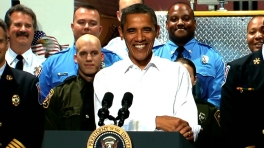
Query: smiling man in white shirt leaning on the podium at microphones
[162, 95]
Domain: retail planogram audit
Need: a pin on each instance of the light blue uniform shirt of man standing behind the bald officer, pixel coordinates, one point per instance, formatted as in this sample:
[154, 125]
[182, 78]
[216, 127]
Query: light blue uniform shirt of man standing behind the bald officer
[61, 65]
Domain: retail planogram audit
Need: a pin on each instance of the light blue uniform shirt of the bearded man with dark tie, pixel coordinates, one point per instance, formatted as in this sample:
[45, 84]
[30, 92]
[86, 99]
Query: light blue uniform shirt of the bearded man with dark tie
[209, 66]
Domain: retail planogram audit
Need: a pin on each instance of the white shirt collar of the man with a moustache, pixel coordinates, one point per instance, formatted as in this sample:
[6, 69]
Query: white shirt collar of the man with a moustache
[27, 56]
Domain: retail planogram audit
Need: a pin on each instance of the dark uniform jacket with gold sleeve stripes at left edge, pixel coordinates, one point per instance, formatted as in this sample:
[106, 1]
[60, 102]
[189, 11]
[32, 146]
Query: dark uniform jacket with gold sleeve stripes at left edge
[21, 116]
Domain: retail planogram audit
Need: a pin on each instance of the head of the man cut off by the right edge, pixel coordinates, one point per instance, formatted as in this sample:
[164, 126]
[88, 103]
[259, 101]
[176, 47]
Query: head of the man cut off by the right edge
[255, 33]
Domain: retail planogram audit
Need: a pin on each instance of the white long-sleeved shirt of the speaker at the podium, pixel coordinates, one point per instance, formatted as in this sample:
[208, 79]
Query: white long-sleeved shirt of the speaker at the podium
[162, 88]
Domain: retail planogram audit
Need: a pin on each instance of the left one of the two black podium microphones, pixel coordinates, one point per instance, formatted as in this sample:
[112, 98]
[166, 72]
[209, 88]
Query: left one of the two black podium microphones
[103, 113]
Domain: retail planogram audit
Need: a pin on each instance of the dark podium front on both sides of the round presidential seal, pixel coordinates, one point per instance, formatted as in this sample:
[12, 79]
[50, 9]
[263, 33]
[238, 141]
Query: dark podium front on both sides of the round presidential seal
[78, 139]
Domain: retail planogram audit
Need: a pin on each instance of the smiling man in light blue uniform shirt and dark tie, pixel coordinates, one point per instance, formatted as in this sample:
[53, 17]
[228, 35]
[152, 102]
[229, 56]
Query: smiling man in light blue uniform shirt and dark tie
[181, 26]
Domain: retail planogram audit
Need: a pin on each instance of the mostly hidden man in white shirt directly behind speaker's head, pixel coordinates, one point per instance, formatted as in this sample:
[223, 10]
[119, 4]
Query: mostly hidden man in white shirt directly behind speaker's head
[118, 45]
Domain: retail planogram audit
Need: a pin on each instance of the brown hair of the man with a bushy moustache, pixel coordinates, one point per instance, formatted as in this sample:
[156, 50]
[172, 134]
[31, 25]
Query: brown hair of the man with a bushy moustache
[23, 9]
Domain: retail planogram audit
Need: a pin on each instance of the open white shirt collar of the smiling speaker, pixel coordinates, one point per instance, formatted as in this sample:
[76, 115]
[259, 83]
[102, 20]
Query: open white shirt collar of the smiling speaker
[129, 64]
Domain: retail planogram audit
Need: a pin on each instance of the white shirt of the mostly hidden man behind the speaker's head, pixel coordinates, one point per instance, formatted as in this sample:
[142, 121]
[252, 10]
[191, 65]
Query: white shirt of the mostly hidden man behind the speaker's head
[118, 46]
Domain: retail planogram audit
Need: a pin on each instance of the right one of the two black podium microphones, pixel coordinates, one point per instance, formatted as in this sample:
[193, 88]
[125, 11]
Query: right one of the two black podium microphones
[123, 112]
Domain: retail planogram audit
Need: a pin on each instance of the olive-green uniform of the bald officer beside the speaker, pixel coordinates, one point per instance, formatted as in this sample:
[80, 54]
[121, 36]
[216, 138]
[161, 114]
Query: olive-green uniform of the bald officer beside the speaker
[69, 106]
